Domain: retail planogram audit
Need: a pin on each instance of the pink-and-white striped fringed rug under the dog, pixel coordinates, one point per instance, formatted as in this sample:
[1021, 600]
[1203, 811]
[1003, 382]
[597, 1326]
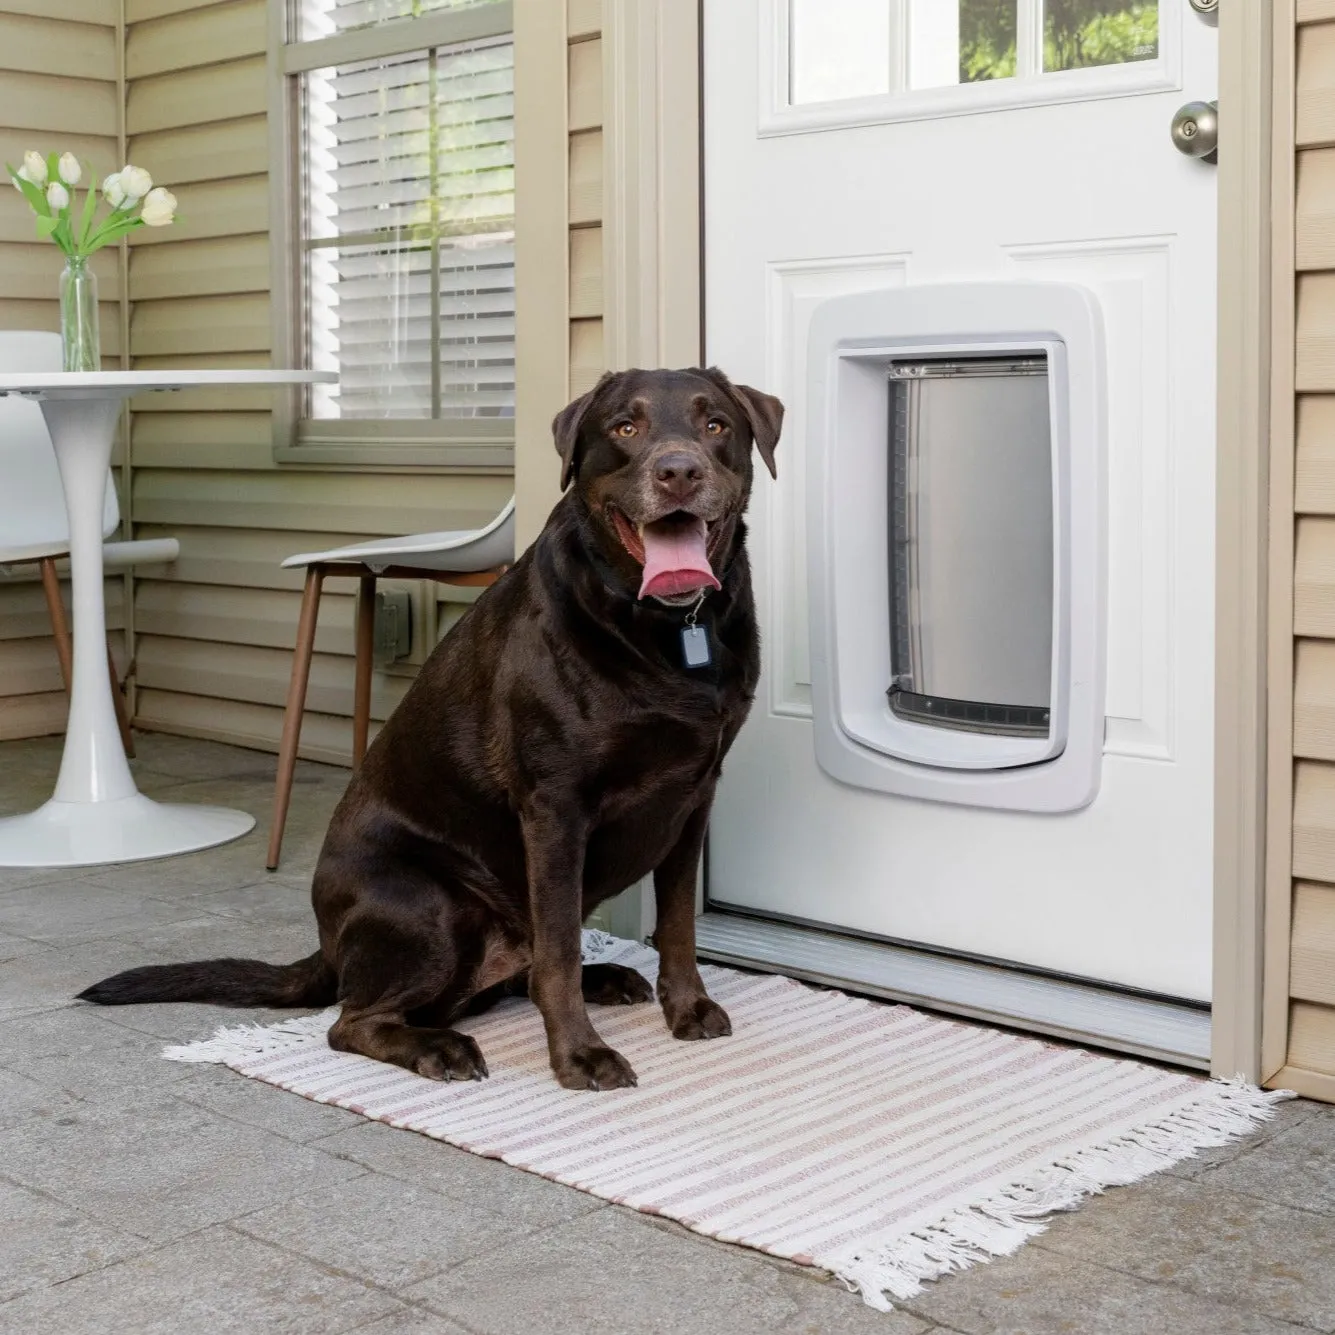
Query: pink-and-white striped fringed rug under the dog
[879, 1143]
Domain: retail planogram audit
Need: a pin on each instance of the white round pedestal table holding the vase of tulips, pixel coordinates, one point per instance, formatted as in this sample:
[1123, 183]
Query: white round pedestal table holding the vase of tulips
[98, 815]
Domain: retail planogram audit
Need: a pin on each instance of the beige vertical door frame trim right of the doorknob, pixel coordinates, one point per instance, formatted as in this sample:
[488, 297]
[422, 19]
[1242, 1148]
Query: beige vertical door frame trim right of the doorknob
[1244, 815]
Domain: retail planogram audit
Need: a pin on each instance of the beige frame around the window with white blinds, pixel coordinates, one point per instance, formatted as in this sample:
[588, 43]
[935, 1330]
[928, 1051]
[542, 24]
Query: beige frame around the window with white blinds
[467, 445]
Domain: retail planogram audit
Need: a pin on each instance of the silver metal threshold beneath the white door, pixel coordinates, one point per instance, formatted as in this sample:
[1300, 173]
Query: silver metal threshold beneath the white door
[1081, 1013]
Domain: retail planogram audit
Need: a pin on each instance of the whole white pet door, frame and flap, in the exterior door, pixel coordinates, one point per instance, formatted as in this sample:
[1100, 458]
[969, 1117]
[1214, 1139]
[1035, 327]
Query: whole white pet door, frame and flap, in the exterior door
[955, 537]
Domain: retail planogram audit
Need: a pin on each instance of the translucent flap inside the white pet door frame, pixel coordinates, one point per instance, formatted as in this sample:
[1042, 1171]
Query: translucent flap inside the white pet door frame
[971, 544]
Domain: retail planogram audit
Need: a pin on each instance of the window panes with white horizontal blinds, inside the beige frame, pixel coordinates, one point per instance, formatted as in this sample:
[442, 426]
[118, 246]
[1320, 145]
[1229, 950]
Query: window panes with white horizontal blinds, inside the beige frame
[405, 182]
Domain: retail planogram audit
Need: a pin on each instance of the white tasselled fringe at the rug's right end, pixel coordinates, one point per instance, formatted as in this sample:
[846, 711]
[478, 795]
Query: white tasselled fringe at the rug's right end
[1021, 1212]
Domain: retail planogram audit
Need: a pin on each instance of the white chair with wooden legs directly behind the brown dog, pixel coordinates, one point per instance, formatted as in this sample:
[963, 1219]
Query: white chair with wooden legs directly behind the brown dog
[469, 557]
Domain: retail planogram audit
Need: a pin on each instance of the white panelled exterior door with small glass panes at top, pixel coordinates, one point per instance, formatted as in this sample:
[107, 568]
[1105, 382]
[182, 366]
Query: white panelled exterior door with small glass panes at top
[854, 145]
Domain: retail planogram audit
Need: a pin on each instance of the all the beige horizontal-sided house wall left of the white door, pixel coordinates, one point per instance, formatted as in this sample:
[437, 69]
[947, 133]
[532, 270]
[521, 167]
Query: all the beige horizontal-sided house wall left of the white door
[185, 94]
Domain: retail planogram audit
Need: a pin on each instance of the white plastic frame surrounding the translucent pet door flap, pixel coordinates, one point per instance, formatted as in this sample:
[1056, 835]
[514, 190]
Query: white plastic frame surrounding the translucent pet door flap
[859, 739]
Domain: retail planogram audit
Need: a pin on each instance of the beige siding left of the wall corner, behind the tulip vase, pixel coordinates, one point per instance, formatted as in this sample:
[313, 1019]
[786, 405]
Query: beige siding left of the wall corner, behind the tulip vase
[58, 93]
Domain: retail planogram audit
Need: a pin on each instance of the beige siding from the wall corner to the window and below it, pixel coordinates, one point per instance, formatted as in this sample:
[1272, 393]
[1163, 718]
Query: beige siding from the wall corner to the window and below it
[216, 632]
